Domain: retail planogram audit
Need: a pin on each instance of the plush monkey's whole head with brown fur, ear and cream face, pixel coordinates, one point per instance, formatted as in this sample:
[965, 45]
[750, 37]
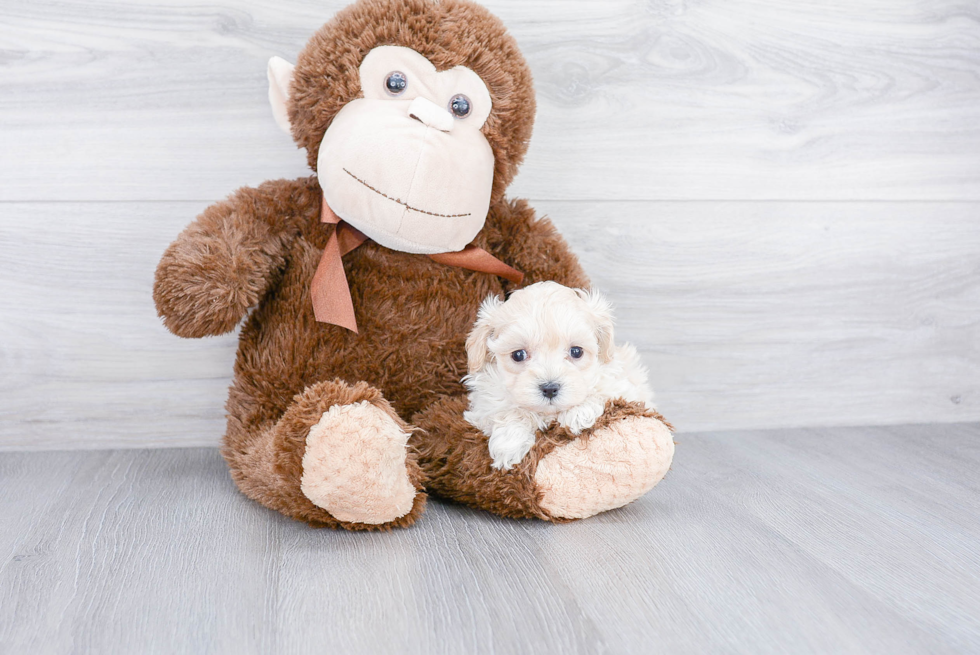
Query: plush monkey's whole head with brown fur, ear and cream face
[415, 114]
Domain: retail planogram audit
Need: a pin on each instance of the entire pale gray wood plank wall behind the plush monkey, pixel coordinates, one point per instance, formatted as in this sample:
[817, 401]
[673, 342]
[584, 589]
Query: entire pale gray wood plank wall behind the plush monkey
[782, 199]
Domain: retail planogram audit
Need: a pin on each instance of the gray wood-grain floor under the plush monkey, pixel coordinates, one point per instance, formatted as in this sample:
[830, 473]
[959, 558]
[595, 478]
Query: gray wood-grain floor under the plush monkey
[792, 541]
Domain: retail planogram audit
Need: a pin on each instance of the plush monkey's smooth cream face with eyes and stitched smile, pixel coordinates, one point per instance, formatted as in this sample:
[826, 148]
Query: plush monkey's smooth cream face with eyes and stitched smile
[407, 164]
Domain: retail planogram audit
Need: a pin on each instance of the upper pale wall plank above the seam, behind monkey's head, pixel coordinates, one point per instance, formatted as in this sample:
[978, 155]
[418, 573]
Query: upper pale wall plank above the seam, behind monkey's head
[662, 100]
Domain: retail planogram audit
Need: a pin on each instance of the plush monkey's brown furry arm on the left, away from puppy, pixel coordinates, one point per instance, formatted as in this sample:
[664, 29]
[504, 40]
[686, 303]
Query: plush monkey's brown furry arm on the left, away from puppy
[226, 260]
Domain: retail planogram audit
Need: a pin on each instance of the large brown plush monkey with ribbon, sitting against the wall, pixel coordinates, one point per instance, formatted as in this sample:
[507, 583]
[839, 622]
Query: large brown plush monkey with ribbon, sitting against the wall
[415, 115]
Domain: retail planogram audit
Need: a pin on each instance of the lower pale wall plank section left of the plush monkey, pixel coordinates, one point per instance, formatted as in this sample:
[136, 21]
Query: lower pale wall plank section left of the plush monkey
[84, 361]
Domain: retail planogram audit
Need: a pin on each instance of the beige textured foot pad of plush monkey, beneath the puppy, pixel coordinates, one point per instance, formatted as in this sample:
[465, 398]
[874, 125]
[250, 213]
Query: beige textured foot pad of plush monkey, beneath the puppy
[616, 465]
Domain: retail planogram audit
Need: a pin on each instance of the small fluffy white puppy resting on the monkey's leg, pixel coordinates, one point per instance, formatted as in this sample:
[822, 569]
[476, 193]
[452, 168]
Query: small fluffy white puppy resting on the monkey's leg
[544, 355]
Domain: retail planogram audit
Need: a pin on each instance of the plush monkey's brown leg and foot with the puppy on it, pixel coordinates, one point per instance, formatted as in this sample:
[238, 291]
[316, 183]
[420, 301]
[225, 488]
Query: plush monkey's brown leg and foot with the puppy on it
[564, 476]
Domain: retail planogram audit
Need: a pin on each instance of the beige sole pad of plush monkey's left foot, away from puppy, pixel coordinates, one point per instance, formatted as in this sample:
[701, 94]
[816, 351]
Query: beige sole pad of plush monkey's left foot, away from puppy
[354, 466]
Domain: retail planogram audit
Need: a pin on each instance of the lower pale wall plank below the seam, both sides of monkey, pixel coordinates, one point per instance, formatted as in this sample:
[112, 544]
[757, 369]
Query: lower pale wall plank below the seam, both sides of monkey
[748, 315]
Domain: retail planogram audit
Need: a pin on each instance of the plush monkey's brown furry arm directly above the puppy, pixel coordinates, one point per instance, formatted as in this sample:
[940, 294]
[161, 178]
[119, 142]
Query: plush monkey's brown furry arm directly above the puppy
[532, 245]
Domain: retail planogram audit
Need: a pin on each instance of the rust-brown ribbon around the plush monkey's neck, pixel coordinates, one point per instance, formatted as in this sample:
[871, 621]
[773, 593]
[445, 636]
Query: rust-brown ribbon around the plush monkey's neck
[331, 293]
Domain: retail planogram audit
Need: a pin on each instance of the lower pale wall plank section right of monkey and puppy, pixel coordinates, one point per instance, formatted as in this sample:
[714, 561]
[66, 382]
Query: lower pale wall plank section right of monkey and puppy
[793, 314]
